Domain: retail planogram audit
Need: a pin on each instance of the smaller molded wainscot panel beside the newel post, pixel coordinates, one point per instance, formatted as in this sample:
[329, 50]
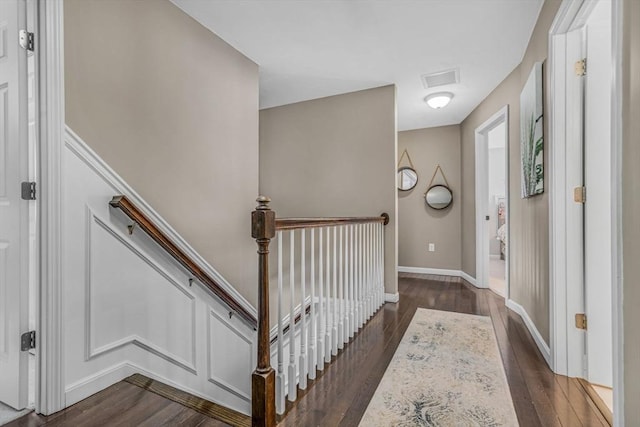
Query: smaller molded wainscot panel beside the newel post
[230, 356]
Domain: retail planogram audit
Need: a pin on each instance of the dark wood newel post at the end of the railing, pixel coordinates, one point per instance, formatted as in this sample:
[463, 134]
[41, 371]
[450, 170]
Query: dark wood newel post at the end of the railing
[263, 401]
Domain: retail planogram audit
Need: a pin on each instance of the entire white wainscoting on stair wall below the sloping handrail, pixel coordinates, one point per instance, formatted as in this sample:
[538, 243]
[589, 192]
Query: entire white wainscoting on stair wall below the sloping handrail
[129, 307]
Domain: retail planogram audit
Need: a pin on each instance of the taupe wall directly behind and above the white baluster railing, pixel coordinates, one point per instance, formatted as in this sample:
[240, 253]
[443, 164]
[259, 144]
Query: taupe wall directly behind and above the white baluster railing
[334, 156]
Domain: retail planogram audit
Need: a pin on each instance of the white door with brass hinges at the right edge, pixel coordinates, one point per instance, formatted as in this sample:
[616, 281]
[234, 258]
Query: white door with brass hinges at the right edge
[597, 209]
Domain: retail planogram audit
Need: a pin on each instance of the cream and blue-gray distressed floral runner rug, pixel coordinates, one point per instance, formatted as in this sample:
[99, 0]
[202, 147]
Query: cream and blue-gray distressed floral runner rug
[447, 371]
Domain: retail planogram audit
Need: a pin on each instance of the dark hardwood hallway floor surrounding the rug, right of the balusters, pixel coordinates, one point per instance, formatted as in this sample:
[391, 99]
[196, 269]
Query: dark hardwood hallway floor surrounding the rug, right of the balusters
[541, 398]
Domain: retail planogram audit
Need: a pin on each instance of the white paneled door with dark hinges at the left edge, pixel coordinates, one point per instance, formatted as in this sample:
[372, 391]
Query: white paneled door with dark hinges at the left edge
[14, 212]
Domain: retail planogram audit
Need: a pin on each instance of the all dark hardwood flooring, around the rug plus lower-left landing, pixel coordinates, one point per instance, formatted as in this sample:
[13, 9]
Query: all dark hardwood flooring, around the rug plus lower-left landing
[342, 392]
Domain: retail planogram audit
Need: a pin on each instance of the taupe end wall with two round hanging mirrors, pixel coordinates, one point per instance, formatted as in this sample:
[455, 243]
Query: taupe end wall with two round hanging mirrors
[418, 224]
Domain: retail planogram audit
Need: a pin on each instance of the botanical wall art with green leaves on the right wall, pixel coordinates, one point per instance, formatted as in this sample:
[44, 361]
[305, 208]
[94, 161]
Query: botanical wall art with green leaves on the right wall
[531, 140]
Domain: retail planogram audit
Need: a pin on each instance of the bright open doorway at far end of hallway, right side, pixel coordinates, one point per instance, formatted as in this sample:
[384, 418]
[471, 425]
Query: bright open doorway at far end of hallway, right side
[492, 213]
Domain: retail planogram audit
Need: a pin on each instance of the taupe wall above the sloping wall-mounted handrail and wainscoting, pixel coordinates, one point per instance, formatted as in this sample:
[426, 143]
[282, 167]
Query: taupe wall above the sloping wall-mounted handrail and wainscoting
[173, 109]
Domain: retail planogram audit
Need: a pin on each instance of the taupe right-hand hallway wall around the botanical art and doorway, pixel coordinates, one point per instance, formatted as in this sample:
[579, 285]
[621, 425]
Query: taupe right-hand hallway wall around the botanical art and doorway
[529, 251]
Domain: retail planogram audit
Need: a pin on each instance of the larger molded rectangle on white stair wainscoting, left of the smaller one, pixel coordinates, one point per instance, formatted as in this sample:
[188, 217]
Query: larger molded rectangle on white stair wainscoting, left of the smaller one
[130, 300]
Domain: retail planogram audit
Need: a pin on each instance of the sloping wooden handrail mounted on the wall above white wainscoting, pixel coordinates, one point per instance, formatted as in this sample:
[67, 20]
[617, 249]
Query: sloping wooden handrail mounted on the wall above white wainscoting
[130, 210]
